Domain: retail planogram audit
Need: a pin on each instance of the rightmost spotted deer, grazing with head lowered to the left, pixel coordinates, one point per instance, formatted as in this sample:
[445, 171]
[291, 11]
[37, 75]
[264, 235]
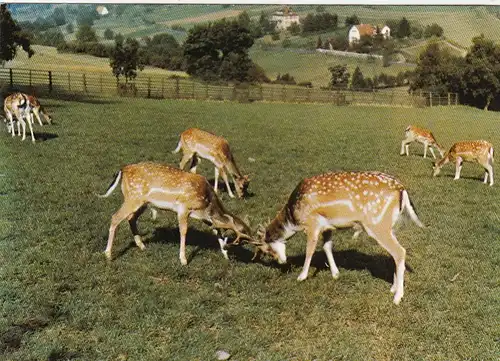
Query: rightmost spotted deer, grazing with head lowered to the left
[479, 151]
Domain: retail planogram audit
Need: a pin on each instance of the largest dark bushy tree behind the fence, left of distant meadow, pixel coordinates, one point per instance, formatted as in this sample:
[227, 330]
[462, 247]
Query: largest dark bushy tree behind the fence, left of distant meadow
[223, 43]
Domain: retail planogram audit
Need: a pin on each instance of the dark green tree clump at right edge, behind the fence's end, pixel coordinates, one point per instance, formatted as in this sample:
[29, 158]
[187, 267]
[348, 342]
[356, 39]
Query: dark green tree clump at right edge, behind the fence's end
[475, 77]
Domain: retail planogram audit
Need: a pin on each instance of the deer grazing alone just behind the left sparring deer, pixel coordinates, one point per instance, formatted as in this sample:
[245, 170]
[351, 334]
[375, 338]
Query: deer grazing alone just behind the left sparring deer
[196, 143]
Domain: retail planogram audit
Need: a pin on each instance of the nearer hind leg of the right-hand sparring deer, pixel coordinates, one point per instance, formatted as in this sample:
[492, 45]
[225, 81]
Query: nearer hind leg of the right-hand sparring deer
[389, 242]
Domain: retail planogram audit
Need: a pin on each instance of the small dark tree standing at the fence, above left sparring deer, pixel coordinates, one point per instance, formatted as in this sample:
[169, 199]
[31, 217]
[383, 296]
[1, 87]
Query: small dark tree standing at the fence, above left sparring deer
[125, 59]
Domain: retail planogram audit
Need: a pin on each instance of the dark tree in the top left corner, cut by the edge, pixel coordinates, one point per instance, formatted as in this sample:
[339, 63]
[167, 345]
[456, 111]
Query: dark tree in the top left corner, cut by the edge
[12, 37]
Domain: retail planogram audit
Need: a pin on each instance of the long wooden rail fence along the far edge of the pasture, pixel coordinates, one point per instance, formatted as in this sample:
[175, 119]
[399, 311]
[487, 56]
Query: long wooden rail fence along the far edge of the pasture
[58, 83]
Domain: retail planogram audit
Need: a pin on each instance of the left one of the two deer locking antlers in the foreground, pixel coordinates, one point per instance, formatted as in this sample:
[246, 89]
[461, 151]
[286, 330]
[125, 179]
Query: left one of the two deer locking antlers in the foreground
[164, 187]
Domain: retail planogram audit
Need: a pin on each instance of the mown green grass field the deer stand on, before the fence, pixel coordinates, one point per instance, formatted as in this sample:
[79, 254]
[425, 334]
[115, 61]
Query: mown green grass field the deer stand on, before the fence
[62, 300]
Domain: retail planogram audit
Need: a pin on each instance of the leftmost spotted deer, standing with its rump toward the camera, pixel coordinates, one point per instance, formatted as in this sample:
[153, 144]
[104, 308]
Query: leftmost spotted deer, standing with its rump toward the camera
[18, 105]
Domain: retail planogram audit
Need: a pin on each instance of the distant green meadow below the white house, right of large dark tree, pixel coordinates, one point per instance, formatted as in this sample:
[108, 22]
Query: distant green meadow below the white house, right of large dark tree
[313, 67]
